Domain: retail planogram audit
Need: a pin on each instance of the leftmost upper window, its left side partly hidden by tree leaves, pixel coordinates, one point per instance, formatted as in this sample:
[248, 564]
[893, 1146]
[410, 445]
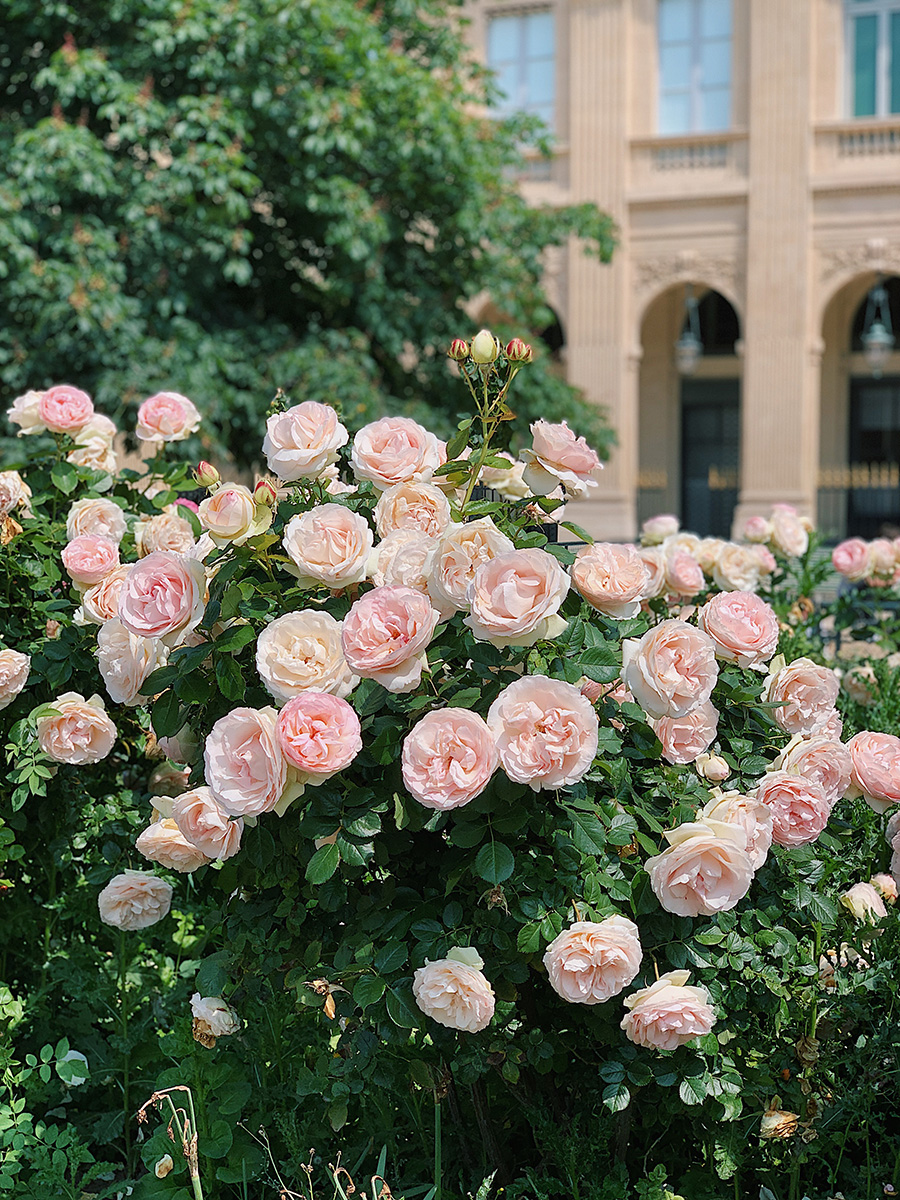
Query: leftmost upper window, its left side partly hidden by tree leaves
[521, 50]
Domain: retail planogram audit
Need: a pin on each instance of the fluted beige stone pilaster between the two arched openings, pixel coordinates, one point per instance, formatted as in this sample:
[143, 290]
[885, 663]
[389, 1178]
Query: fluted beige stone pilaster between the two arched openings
[781, 398]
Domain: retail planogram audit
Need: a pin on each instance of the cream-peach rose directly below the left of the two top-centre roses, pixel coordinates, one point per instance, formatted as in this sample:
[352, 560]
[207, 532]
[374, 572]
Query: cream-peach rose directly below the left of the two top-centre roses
[328, 547]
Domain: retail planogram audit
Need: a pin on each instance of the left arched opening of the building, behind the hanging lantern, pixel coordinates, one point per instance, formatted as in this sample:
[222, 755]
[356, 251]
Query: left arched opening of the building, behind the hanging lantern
[691, 424]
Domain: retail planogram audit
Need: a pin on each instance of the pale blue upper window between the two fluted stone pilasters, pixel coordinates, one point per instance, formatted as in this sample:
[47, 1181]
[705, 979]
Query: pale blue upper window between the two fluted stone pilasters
[694, 67]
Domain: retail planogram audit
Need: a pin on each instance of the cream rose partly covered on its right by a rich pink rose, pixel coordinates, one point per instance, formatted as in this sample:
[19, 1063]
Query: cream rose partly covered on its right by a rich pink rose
[303, 651]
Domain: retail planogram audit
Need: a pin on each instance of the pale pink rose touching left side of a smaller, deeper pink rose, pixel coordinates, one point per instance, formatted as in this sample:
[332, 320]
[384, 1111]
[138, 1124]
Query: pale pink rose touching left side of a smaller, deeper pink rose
[247, 771]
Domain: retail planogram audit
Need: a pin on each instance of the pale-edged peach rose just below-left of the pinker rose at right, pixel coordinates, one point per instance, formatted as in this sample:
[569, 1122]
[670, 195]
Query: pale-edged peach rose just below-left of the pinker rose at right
[671, 670]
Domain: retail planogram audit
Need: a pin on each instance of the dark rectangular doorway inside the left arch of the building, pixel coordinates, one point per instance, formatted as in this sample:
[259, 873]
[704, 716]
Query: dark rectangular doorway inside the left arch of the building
[711, 455]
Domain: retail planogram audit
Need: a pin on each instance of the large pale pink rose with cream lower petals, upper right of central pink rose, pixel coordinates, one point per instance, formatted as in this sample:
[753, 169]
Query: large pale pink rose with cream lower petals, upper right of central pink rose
[515, 599]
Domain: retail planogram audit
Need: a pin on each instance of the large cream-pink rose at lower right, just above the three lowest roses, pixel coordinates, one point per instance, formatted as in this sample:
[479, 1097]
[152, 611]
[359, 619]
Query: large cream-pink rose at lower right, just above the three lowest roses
[705, 869]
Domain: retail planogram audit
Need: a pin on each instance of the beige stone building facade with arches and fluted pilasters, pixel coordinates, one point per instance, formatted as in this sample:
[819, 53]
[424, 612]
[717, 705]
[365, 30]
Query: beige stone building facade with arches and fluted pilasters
[791, 214]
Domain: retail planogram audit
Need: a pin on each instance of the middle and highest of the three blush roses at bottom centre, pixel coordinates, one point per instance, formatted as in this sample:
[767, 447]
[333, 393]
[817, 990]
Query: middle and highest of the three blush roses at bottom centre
[593, 962]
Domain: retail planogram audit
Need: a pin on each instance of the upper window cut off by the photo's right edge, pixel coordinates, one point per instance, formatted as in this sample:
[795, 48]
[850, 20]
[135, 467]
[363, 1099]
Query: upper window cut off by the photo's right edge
[874, 50]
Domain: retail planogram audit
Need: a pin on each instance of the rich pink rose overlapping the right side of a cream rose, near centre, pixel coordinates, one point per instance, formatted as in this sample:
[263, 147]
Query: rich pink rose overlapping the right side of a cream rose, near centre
[386, 635]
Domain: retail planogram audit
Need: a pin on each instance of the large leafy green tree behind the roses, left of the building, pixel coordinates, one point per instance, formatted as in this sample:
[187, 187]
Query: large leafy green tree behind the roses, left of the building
[223, 199]
